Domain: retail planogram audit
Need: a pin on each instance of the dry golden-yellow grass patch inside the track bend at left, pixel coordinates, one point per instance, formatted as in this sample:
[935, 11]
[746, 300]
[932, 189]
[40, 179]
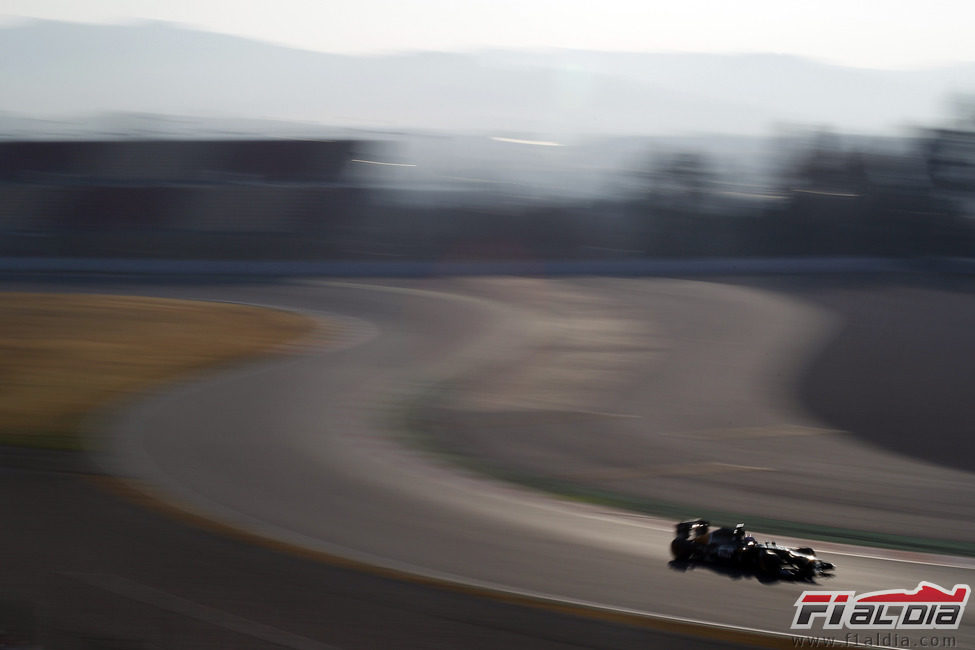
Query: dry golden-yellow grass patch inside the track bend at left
[62, 355]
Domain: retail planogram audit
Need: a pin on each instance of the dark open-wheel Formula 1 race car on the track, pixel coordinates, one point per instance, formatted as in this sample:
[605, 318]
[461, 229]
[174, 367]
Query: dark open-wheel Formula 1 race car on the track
[697, 541]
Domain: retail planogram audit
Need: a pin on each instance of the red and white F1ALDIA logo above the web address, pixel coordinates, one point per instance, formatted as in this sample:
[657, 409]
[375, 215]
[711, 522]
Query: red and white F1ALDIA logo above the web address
[928, 607]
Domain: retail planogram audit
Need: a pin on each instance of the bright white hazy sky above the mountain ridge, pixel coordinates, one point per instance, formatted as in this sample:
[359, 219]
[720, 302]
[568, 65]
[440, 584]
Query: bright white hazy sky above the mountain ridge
[868, 33]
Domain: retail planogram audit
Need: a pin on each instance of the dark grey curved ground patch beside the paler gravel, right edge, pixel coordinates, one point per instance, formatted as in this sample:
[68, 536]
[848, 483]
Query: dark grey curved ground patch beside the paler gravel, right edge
[901, 372]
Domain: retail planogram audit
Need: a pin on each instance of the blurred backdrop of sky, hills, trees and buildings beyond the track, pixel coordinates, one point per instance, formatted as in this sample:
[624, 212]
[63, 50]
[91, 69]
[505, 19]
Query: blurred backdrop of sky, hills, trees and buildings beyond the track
[539, 130]
